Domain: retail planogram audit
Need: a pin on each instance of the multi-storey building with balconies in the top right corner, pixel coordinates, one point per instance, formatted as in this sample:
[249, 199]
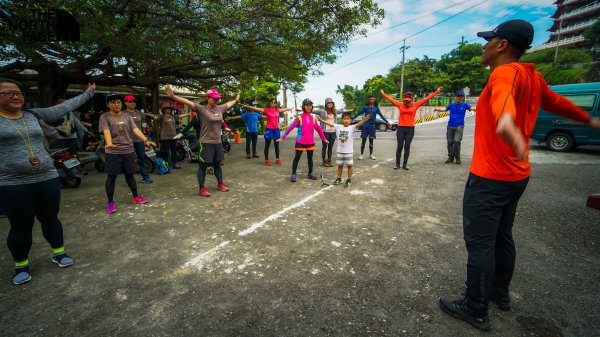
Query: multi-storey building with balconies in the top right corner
[571, 19]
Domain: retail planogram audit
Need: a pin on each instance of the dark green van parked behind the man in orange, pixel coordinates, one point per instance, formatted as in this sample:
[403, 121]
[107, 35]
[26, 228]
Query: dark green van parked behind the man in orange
[561, 134]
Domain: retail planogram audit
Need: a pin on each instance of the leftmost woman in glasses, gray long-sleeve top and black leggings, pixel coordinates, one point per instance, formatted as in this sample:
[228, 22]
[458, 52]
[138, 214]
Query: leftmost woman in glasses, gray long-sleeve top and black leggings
[29, 183]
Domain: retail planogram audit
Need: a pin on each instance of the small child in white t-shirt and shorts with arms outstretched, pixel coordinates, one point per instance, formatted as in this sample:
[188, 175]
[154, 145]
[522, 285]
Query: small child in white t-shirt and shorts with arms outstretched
[344, 133]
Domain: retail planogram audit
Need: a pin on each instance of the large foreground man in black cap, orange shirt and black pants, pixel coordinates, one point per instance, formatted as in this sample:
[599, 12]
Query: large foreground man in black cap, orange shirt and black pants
[506, 114]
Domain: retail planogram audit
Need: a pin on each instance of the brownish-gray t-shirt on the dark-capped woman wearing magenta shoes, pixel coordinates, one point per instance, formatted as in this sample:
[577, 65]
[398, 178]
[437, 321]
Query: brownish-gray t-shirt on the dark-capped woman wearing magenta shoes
[121, 131]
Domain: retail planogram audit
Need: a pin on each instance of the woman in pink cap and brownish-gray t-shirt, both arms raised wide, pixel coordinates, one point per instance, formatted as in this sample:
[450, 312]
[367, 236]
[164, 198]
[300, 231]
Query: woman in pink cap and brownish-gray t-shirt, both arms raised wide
[211, 148]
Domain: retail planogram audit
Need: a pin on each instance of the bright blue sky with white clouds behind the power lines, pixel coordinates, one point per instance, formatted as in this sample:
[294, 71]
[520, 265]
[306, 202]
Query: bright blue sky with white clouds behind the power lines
[478, 15]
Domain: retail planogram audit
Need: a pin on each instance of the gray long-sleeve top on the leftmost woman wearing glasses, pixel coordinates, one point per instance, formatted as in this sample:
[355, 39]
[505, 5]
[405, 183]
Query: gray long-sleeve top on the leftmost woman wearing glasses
[15, 167]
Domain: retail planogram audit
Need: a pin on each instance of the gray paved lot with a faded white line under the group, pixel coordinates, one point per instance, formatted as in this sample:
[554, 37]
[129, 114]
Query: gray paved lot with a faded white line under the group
[272, 258]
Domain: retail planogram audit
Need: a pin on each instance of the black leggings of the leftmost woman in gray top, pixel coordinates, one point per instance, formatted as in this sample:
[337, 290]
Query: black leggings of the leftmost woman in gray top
[22, 204]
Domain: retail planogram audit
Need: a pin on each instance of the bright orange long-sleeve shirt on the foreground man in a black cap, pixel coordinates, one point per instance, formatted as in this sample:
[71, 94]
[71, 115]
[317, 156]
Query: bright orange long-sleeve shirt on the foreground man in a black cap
[519, 89]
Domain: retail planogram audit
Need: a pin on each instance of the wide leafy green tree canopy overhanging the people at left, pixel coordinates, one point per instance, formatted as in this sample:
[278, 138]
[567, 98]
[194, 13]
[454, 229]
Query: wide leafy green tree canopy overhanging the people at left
[187, 43]
